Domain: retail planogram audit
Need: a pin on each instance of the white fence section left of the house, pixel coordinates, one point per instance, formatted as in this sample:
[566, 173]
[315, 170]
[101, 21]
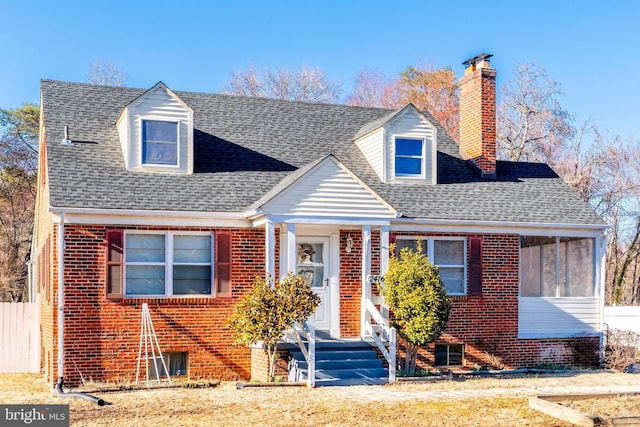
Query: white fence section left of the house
[19, 337]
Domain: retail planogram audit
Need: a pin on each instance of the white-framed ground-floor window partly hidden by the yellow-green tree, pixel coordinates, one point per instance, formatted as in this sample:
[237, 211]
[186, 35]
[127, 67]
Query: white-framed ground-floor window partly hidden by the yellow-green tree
[448, 254]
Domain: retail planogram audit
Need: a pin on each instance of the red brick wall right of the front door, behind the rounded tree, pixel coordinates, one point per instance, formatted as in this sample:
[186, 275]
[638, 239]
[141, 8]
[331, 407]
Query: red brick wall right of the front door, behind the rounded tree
[487, 325]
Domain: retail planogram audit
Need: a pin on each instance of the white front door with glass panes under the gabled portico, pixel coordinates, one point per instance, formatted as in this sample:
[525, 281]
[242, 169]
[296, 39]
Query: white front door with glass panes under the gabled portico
[314, 264]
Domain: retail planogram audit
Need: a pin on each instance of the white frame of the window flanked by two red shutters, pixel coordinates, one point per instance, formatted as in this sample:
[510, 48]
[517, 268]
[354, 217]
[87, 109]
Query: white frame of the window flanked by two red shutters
[168, 263]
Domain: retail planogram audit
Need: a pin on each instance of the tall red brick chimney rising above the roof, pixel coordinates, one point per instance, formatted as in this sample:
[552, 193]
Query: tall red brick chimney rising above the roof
[478, 115]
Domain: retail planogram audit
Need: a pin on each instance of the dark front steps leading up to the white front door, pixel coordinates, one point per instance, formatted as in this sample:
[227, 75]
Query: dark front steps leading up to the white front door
[340, 363]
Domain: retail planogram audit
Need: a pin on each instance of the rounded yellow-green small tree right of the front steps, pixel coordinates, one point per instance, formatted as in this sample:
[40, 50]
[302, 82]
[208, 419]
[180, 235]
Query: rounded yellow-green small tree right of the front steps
[415, 293]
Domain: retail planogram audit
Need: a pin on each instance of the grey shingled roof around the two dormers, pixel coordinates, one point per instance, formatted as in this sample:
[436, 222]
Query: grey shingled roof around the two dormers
[245, 146]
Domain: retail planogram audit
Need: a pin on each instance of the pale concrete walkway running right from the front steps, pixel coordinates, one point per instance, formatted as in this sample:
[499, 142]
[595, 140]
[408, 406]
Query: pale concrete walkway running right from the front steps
[386, 394]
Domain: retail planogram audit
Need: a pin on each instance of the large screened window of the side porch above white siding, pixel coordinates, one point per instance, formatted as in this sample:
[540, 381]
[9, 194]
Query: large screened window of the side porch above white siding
[556, 267]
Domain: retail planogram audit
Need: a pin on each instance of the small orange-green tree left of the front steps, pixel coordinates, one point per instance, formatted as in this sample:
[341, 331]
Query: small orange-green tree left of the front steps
[267, 312]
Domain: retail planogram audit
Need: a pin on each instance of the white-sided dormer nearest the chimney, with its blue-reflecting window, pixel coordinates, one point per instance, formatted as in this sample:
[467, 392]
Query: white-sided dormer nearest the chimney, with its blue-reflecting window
[401, 147]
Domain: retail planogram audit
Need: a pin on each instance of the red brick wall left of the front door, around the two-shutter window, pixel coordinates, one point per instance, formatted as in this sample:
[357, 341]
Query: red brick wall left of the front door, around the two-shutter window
[102, 336]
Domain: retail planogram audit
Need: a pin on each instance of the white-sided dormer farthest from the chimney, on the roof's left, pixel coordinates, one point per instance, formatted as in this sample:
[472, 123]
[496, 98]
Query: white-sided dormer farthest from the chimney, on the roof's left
[156, 132]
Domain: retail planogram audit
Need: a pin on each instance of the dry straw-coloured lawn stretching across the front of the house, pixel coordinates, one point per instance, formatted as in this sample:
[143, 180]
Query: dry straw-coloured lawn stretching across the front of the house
[299, 406]
